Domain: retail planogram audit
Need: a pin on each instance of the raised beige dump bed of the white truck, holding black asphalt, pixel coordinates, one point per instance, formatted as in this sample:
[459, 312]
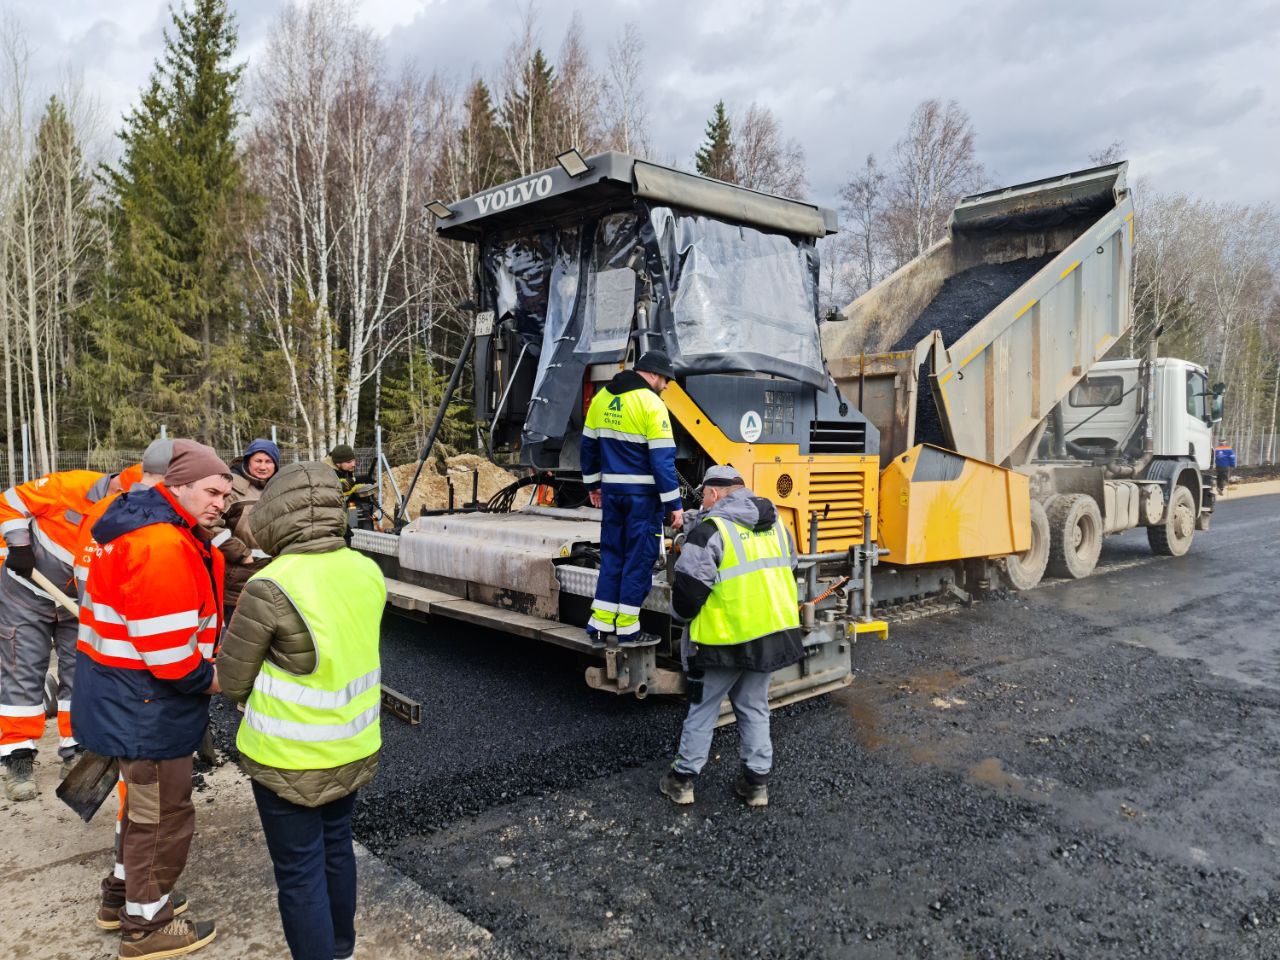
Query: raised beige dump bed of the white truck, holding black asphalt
[1002, 319]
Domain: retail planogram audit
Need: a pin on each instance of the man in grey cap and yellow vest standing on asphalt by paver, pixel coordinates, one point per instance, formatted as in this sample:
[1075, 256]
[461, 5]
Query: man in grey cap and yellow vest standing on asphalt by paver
[735, 584]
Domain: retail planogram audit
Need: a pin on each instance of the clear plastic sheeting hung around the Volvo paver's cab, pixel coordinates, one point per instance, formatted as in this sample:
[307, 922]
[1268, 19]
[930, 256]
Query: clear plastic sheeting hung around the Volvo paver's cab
[728, 299]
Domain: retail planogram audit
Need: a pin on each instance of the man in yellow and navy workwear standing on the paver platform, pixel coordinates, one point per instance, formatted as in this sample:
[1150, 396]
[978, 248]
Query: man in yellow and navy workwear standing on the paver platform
[629, 467]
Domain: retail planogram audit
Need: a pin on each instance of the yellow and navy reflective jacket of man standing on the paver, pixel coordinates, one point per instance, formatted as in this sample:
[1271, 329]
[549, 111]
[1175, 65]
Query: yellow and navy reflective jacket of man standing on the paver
[628, 445]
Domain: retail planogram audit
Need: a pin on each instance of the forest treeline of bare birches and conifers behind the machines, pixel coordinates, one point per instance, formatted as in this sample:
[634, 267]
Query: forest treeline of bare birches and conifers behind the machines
[253, 246]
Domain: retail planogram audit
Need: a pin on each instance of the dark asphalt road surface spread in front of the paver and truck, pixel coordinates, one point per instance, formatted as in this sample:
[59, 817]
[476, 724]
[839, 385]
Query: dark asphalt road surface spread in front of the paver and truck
[1089, 770]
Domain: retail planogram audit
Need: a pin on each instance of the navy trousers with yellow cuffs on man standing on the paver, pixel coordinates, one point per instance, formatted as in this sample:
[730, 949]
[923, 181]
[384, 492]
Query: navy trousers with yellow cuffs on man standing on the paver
[630, 540]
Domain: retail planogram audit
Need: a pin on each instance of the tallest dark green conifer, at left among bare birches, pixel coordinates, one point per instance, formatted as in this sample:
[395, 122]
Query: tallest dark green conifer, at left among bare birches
[168, 319]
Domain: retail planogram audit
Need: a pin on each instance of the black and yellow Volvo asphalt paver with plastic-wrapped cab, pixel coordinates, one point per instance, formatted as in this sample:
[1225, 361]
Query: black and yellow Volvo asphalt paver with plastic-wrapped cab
[579, 271]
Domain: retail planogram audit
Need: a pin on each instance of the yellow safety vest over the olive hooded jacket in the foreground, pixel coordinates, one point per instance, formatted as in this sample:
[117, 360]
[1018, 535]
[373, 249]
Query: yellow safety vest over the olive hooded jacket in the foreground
[330, 717]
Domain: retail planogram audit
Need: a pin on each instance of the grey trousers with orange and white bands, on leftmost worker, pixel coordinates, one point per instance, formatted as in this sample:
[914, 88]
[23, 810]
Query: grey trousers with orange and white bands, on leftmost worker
[30, 628]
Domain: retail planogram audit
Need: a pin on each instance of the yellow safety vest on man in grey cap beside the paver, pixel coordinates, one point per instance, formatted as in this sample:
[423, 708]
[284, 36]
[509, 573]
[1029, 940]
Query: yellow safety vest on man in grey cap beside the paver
[756, 595]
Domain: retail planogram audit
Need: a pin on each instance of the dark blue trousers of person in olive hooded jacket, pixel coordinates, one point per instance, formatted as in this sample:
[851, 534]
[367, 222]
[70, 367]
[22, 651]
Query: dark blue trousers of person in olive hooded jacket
[316, 874]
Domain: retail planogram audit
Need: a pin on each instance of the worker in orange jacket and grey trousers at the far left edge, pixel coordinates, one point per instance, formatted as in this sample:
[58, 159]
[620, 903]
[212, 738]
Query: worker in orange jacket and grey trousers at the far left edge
[40, 523]
